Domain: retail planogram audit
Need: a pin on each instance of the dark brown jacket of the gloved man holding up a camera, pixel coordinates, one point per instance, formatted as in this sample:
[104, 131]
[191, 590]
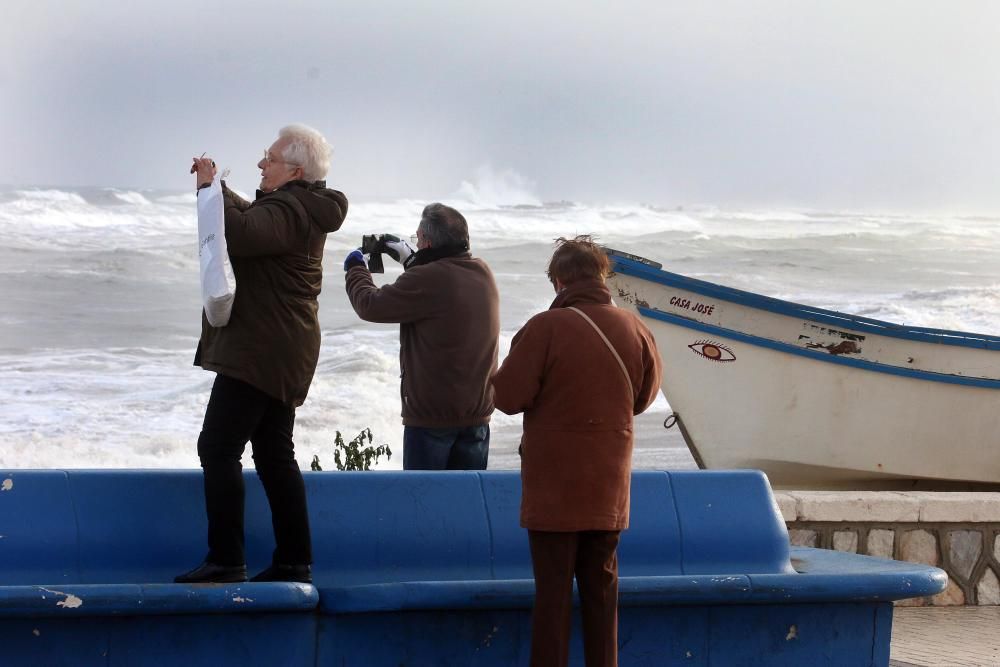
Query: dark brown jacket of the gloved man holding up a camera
[449, 325]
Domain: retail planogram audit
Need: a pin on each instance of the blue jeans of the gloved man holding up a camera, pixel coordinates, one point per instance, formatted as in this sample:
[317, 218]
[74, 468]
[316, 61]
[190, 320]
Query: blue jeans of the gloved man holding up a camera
[464, 448]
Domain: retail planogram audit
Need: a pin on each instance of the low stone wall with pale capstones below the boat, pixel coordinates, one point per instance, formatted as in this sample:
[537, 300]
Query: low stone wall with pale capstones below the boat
[958, 532]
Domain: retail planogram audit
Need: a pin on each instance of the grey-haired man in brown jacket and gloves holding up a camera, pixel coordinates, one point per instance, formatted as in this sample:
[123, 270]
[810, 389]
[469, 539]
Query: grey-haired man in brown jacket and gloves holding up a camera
[447, 306]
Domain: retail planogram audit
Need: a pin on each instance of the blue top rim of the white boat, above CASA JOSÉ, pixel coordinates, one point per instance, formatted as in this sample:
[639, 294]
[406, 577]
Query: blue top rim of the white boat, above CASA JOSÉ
[791, 309]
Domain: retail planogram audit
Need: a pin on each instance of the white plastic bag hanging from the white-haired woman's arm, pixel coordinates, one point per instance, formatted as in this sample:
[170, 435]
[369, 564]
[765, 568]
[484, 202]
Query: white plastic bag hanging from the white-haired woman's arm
[218, 284]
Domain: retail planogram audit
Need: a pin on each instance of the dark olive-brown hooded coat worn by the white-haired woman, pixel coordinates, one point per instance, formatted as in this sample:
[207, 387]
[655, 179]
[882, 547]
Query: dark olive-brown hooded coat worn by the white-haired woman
[276, 249]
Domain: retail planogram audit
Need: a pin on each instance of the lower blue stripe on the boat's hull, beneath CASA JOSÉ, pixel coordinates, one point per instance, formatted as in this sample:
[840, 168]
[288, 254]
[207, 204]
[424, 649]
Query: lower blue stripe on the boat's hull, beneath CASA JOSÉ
[815, 355]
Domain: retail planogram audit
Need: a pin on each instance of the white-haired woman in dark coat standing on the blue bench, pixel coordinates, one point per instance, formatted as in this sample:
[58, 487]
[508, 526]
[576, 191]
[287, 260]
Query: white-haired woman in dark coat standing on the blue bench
[266, 355]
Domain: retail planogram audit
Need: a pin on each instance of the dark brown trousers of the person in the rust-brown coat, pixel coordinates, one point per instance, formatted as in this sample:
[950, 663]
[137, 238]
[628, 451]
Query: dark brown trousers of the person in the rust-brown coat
[555, 558]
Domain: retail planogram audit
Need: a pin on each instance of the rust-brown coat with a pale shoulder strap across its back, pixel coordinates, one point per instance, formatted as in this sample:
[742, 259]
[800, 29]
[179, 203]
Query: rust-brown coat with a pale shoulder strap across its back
[577, 443]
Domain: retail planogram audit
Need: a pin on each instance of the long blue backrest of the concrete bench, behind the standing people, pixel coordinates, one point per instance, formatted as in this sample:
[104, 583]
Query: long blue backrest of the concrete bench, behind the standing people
[109, 526]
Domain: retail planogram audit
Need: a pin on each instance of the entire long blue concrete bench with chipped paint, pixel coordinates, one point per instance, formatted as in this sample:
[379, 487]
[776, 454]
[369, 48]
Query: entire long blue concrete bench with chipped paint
[422, 569]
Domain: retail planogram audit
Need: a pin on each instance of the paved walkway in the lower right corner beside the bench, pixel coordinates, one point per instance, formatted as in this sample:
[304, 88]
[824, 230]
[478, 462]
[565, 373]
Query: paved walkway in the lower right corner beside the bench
[945, 636]
